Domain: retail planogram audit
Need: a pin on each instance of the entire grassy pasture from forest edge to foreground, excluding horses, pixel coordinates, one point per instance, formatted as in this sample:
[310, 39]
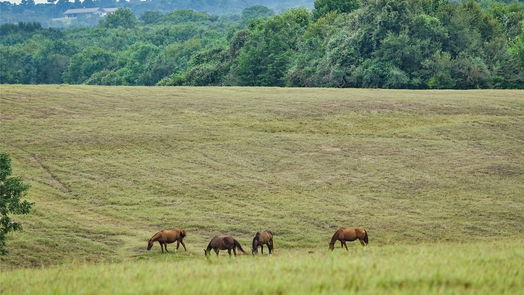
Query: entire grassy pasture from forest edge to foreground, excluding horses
[436, 177]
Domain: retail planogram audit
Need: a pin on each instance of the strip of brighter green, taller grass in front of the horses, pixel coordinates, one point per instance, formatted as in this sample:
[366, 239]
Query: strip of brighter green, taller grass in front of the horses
[450, 268]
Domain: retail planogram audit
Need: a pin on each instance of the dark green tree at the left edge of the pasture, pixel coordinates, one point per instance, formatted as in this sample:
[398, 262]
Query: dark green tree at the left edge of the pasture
[12, 189]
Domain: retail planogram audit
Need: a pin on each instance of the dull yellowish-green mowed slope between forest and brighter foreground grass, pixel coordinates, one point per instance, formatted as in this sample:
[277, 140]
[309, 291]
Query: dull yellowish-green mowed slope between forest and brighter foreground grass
[110, 166]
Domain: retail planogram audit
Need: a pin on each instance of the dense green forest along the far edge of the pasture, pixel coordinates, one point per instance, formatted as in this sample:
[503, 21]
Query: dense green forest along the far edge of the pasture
[415, 44]
